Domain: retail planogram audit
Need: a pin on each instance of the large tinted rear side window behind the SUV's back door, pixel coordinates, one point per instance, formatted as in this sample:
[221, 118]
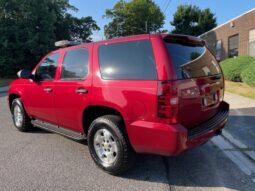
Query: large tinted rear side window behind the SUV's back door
[127, 61]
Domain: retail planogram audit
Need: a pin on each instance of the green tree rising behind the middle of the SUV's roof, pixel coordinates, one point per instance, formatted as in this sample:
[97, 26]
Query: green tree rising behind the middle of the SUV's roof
[133, 17]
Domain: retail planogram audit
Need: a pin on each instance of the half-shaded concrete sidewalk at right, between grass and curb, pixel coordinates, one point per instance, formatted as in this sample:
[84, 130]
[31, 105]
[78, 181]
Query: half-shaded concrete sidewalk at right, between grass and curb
[240, 129]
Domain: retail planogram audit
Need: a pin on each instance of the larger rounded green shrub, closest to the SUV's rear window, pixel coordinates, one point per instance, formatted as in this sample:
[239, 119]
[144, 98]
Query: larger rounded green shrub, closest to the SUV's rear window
[233, 67]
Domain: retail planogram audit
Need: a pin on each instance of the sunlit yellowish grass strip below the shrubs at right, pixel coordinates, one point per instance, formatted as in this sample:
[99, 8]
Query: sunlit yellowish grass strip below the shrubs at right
[240, 88]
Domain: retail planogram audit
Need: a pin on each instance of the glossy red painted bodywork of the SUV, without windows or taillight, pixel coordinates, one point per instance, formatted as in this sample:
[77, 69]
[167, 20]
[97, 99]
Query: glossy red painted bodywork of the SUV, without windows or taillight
[135, 100]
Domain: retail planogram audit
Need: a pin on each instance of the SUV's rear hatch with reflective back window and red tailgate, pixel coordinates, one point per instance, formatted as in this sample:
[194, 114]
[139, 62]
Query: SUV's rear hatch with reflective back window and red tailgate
[199, 80]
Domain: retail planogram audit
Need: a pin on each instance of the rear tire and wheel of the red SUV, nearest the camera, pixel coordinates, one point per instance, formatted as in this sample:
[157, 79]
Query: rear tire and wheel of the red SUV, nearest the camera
[109, 146]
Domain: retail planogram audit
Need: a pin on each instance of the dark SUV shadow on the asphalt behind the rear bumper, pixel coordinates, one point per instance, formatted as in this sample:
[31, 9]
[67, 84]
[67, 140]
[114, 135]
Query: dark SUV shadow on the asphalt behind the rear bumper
[202, 168]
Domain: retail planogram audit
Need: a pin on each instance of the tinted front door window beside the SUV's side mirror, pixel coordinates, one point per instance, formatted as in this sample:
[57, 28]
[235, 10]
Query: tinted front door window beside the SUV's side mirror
[47, 69]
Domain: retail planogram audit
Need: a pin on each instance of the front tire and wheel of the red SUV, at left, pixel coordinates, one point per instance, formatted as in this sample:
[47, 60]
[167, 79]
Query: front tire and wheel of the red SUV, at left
[19, 116]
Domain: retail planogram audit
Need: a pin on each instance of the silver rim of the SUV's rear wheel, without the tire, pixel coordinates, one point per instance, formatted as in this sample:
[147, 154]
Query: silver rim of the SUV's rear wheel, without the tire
[105, 146]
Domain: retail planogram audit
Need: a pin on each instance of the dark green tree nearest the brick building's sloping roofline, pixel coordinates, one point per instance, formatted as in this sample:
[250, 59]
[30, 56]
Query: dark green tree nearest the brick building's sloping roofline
[191, 20]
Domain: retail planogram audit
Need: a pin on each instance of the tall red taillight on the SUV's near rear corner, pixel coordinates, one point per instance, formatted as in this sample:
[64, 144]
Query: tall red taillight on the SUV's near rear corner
[168, 101]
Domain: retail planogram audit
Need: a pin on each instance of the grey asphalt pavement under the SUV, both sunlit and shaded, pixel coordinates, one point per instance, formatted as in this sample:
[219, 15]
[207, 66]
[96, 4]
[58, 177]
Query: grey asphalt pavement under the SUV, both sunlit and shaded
[40, 160]
